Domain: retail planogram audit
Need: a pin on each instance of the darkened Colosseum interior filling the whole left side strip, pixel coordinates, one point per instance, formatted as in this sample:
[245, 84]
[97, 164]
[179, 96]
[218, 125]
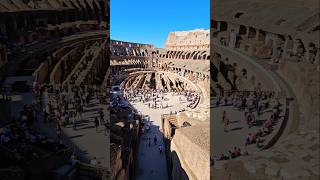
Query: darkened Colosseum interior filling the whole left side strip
[54, 59]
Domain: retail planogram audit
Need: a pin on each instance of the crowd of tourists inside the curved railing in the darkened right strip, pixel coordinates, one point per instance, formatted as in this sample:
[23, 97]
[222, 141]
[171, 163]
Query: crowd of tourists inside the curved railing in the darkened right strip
[253, 104]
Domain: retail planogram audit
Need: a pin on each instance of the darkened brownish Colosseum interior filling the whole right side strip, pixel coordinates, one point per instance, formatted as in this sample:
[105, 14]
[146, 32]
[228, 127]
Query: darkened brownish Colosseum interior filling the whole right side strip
[265, 99]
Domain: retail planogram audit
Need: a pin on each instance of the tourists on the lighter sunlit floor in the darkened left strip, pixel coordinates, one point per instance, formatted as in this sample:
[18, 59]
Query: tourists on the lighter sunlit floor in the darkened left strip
[66, 104]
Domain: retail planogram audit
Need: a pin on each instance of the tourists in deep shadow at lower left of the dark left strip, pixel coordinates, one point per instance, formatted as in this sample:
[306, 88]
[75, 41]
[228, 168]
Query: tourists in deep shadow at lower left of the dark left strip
[21, 137]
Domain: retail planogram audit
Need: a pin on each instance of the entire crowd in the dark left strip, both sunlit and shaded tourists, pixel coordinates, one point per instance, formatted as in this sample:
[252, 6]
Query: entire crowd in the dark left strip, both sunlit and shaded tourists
[56, 105]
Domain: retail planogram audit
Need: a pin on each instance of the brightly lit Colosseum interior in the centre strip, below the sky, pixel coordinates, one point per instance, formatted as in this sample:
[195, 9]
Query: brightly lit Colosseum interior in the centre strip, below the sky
[160, 108]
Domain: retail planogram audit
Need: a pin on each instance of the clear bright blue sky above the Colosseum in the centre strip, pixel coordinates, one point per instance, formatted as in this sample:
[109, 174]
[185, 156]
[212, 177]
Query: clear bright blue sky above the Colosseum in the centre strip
[150, 21]
